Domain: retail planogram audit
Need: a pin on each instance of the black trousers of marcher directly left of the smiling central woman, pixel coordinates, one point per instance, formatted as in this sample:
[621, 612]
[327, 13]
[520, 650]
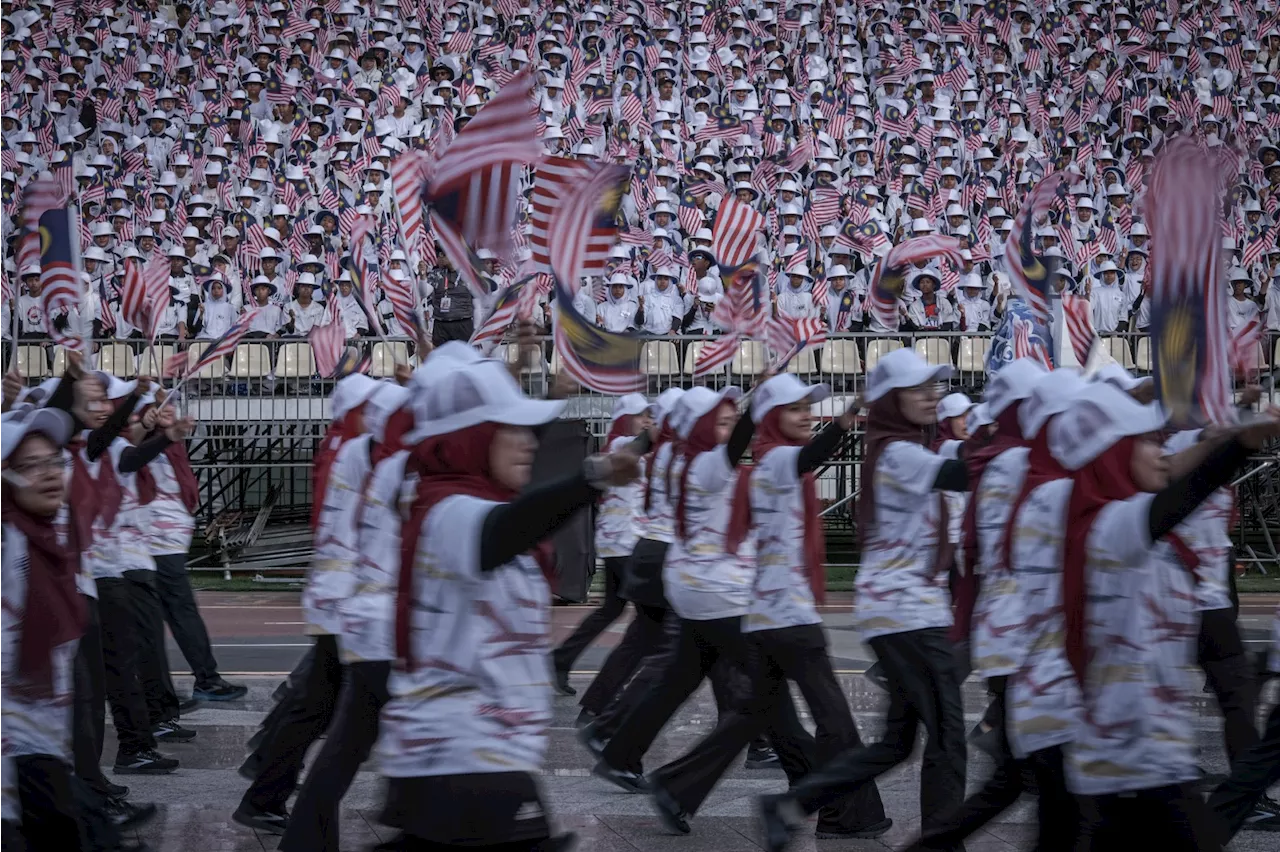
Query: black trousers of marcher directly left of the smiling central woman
[701, 649]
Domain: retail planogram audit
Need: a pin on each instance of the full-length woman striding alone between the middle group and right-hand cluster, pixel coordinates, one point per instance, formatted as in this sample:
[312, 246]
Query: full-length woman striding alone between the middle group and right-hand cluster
[902, 607]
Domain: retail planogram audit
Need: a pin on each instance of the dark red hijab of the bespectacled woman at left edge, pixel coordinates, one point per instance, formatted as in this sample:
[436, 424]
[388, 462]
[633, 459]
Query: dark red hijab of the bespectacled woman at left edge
[53, 611]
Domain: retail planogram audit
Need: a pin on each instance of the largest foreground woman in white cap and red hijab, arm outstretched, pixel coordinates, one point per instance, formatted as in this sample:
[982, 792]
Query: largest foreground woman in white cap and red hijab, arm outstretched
[473, 615]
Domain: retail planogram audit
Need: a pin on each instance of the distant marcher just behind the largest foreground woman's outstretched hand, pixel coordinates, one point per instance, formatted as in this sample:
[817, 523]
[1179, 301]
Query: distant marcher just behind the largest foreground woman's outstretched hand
[615, 539]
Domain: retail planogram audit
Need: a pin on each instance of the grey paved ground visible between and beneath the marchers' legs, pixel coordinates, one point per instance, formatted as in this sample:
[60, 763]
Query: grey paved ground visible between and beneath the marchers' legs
[259, 638]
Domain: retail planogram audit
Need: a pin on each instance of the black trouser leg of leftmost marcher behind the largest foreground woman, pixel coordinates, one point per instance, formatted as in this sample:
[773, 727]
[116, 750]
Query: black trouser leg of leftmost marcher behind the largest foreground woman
[309, 714]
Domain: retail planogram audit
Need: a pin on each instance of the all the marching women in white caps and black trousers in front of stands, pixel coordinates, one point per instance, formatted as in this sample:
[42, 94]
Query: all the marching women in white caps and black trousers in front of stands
[1057, 540]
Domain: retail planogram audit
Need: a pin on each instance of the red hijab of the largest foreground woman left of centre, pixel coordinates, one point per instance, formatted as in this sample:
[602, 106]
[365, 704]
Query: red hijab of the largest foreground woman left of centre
[447, 466]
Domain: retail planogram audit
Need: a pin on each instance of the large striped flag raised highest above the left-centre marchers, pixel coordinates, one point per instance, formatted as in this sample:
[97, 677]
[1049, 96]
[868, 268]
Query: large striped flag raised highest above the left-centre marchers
[473, 190]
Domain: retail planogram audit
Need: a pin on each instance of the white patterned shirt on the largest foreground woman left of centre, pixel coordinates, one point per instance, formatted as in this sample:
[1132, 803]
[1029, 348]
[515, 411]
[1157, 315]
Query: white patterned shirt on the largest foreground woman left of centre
[481, 643]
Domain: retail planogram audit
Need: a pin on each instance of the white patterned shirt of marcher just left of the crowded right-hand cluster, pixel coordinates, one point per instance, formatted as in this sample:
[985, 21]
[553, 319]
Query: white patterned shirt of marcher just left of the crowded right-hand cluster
[898, 589]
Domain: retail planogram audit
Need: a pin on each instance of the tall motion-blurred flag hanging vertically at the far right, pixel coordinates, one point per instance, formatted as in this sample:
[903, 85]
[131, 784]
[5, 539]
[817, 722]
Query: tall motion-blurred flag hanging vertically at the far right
[1190, 340]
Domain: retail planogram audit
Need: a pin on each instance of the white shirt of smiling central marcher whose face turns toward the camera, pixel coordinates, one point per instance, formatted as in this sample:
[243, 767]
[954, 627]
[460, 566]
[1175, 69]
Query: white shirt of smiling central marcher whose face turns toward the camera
[780, 593]
